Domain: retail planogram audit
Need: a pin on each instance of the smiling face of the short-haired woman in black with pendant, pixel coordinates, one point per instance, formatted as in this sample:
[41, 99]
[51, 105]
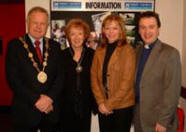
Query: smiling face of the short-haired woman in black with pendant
[76, 37]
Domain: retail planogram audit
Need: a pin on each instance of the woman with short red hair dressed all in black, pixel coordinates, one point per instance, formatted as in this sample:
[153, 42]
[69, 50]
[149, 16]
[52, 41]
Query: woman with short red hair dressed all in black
[77, 97]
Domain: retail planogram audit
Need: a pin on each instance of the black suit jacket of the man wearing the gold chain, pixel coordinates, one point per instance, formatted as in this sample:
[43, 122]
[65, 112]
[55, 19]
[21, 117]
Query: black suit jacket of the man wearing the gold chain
[22, 78]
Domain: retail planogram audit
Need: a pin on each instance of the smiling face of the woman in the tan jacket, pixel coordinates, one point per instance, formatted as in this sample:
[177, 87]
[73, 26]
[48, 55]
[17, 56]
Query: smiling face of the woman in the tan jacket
[112, 31]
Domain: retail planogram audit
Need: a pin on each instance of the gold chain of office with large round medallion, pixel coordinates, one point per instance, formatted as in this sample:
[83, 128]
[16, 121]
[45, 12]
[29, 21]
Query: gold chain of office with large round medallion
[41, 76]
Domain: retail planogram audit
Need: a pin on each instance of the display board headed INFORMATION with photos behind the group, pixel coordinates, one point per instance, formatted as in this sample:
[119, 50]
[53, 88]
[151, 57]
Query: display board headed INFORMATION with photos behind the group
[93, 12]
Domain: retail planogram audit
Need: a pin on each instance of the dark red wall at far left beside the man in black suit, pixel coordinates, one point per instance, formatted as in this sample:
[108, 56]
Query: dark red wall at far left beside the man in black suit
[10, 27]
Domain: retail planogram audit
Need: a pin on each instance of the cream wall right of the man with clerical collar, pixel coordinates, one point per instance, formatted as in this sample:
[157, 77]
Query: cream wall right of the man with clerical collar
[171, 15]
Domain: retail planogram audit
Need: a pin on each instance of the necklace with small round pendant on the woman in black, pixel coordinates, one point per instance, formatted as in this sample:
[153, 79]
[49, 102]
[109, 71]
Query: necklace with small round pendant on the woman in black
[79, 67]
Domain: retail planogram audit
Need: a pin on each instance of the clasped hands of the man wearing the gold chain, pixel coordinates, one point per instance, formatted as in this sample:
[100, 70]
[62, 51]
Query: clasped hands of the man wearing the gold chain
[44, 103]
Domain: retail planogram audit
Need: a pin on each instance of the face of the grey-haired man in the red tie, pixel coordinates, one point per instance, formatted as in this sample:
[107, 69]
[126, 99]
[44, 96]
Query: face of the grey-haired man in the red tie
[37, 24]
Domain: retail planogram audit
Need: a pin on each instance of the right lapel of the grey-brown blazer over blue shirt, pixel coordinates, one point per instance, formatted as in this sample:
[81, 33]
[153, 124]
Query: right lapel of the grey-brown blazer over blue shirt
[152, 58]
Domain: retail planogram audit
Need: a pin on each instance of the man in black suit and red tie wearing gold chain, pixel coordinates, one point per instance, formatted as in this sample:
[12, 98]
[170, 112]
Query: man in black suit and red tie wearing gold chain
[35, 75]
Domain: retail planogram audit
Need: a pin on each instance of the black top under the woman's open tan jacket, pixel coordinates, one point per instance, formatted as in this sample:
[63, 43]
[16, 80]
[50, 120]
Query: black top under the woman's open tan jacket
[109, 51]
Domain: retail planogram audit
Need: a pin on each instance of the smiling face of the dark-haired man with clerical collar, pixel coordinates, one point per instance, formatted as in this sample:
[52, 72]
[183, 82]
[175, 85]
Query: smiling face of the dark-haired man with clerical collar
[148, 29]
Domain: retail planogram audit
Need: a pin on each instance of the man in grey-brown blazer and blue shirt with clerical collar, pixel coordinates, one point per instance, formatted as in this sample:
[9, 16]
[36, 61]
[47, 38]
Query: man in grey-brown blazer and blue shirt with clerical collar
[158, 79]
